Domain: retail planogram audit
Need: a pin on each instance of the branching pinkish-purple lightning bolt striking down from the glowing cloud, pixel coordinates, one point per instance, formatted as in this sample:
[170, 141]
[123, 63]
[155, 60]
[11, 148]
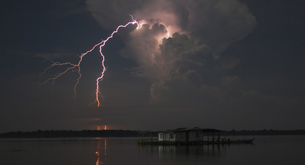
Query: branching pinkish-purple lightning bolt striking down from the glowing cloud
[77, 66]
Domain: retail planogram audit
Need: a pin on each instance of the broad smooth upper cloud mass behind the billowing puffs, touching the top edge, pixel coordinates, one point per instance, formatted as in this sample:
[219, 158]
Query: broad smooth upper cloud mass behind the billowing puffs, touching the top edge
[215, 22]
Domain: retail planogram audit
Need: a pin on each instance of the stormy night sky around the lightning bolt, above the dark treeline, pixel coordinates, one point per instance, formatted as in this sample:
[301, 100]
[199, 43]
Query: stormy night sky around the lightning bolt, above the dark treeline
[226, 64]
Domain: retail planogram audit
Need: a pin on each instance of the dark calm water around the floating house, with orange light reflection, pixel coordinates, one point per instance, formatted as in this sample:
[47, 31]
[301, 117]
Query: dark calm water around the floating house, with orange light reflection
[266, 150]
